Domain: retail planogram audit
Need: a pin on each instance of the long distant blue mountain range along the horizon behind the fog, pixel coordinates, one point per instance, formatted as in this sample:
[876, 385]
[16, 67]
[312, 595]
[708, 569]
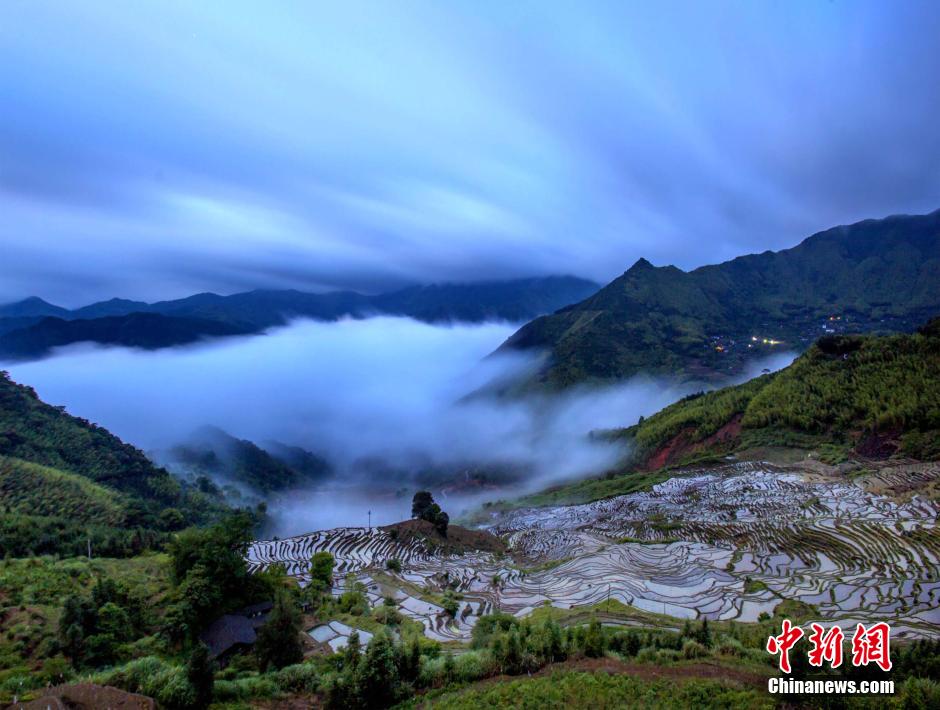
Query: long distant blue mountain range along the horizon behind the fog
[27, 331]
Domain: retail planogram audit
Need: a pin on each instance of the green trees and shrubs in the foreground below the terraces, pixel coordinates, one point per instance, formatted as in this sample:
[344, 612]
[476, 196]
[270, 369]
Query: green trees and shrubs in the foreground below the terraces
[134, 624]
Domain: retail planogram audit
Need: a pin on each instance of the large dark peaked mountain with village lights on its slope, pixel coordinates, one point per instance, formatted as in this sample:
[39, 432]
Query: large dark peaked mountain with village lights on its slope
[876, 275]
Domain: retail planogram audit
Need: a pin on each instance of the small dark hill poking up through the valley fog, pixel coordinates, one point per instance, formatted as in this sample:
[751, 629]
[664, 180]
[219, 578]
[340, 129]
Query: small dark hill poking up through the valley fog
[225, 459]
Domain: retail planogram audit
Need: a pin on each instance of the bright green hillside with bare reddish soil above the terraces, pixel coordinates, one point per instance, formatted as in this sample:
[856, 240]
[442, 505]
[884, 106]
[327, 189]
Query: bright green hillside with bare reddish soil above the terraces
[873, 396]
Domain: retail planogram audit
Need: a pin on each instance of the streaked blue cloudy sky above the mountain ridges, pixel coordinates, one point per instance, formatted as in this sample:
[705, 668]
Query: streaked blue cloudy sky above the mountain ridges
[156, 149]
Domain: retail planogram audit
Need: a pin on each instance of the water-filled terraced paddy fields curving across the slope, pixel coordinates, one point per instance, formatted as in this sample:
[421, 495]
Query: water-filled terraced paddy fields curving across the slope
[722, 543]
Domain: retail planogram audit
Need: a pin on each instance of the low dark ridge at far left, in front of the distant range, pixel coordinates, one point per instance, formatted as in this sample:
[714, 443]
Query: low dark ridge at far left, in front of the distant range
[138, 330]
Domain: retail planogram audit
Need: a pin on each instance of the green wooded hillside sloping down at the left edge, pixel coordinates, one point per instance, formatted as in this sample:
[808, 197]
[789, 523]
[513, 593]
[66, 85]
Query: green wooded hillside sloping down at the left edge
[65, 481]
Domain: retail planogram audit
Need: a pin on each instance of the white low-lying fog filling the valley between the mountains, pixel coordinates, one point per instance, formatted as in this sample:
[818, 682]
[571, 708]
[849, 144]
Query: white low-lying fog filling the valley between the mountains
[386, 390]
